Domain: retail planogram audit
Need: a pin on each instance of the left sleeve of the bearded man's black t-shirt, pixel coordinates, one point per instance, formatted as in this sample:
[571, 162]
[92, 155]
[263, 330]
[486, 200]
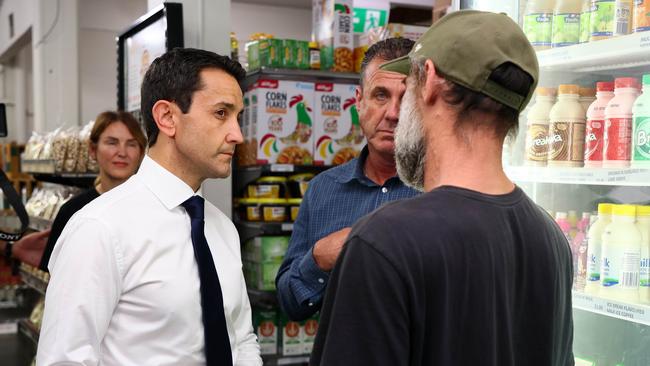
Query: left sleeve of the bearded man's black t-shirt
[364, 320]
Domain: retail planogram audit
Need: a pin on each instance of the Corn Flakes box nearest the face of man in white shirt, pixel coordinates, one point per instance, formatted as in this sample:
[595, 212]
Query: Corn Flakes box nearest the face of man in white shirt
[282, 122]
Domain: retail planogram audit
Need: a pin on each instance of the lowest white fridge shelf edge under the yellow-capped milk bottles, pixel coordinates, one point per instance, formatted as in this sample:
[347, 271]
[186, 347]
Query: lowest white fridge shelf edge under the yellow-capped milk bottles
[635, 313]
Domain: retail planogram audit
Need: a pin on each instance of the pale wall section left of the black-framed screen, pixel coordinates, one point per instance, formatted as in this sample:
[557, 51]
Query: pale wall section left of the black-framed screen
[100, 22]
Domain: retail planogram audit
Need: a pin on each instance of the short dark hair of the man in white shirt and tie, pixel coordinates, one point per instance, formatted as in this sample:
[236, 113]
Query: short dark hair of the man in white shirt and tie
[175, 76]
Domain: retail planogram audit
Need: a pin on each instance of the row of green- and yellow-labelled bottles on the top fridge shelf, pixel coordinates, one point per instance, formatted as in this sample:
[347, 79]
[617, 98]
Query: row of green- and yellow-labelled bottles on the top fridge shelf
[559, 23]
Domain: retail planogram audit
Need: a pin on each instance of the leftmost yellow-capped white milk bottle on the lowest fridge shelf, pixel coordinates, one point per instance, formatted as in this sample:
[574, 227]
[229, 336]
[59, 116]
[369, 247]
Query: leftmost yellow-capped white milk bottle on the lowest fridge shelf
[594, 249]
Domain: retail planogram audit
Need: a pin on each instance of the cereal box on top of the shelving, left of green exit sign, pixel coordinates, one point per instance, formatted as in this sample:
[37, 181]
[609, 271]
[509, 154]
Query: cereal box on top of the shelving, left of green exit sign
[332, 22]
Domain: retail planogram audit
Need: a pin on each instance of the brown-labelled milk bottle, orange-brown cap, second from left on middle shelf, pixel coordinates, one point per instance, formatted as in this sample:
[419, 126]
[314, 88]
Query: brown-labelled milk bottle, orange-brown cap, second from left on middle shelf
[566, 129]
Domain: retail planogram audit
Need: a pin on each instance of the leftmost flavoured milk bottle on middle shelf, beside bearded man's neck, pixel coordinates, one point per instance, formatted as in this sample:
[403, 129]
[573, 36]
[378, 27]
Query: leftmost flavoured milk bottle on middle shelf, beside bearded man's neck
[537, 131]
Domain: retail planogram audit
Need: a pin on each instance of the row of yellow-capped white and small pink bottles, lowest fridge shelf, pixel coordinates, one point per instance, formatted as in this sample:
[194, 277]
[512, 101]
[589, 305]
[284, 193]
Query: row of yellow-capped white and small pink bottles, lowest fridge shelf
[612, 256]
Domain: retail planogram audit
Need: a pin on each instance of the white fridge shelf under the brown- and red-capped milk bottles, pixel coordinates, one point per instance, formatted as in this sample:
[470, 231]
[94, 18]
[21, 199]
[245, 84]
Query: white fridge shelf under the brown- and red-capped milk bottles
[585, 176]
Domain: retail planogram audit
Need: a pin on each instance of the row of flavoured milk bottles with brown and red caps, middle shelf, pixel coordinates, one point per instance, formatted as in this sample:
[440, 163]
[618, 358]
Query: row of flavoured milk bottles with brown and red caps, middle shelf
[610, 130]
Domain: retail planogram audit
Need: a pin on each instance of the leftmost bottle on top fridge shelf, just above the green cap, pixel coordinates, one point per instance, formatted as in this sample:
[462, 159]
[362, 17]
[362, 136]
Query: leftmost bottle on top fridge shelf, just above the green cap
[538, 23]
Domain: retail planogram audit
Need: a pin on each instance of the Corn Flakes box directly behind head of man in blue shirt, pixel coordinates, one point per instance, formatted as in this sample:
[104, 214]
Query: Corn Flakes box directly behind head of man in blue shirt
[337, 133]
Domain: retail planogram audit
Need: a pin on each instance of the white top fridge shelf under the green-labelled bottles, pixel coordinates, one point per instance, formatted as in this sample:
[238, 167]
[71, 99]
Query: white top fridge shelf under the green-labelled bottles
[625, 52]
